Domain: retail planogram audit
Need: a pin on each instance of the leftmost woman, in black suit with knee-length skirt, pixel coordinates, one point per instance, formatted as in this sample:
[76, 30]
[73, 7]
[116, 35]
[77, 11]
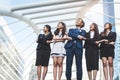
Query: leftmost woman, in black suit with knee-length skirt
[43, 51]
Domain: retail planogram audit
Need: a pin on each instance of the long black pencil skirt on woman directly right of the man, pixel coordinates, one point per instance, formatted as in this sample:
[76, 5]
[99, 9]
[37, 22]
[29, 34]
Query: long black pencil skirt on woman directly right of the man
[92, 59]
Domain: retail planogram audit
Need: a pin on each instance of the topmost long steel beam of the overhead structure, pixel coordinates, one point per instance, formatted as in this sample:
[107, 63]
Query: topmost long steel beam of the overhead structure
[41, 4]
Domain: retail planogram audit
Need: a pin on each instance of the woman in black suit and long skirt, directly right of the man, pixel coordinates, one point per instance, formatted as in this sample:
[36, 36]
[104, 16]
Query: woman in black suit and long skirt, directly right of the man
[92, 51]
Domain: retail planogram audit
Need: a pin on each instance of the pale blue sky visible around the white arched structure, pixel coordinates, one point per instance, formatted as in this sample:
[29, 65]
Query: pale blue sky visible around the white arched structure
[26, 37]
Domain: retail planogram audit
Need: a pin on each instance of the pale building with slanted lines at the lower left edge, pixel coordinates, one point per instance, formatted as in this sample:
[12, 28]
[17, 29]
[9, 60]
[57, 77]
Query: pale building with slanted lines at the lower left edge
[11, 62]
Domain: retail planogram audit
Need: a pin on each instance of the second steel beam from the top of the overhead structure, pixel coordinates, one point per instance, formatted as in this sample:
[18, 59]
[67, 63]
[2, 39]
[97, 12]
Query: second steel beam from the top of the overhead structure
[53, 8]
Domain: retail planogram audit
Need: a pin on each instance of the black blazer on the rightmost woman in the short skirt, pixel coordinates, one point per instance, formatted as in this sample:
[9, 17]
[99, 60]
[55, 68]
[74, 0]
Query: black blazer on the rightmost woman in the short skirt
[111, 37]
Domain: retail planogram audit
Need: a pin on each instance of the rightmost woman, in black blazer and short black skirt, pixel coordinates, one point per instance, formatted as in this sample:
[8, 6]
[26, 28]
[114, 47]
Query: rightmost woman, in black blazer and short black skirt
[108, 39]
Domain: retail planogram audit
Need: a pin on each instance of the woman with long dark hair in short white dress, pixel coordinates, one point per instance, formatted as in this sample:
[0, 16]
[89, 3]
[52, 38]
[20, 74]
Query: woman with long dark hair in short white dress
[58, 51]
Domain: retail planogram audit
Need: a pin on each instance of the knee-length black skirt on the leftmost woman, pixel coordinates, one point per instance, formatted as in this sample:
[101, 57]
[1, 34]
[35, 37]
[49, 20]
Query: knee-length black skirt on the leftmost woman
[42, 57]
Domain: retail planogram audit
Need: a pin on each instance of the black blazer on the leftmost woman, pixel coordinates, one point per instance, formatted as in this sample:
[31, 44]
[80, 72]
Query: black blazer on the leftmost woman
[42, 41]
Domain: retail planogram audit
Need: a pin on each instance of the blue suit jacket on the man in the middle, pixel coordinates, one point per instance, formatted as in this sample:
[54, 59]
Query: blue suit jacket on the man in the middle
[74, 34]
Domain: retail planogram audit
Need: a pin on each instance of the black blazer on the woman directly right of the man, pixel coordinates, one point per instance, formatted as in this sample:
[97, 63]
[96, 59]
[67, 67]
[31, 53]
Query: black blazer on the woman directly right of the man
[90, 43]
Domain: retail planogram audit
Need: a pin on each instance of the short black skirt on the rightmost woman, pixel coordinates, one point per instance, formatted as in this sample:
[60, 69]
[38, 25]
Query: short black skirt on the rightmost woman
[107, 51]
